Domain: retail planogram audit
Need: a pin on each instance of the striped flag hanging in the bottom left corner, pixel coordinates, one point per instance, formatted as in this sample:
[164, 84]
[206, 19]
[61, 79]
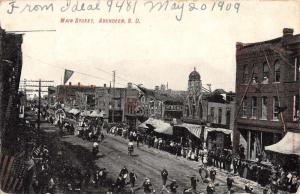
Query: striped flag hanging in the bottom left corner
[12, 171]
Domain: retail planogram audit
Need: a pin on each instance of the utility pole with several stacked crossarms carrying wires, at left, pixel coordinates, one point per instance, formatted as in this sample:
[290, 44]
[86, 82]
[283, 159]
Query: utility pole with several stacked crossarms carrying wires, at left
[39, 90]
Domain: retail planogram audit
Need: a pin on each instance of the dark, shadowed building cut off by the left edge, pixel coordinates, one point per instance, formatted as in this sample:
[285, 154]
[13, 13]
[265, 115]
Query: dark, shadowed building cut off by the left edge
[10, 72]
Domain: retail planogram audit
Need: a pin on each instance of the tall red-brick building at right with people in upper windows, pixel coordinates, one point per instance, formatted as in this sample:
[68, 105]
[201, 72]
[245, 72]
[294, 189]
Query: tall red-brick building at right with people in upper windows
[267, 91]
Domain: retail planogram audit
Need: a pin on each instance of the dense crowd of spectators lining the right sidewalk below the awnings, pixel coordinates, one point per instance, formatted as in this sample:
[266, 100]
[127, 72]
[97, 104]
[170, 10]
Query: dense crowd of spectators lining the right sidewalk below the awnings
[271, 177]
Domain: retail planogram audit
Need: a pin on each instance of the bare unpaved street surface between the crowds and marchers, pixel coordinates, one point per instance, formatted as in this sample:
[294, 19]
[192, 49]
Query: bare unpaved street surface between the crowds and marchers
[147, 162]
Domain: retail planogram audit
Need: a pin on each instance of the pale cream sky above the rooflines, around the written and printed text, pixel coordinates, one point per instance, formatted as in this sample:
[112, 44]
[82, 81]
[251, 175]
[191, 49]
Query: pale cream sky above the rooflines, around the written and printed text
[158, 50]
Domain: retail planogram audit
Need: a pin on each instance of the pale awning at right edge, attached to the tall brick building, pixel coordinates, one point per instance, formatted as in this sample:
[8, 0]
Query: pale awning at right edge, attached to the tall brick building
[289, 144]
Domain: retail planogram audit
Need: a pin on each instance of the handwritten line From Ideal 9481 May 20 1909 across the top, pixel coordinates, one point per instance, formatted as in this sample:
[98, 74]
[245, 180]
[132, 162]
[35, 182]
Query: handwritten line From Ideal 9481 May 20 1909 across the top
[130, 6]
